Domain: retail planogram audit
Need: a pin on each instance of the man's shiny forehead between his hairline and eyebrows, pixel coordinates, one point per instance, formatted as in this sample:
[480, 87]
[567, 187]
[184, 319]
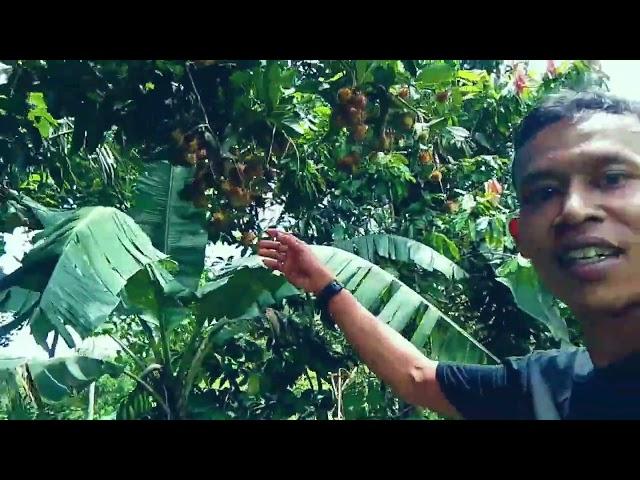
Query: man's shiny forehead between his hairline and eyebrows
[585, 136]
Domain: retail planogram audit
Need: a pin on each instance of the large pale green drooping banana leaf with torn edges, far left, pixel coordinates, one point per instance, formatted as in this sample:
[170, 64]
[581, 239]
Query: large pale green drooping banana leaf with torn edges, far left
[76, 271]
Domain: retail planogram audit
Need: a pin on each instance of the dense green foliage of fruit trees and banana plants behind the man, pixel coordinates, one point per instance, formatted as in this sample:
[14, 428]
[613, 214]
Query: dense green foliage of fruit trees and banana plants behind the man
[398, 170]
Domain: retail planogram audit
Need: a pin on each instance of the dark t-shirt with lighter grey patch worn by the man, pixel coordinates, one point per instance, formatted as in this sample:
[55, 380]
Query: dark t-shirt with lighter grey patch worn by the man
[547, 385]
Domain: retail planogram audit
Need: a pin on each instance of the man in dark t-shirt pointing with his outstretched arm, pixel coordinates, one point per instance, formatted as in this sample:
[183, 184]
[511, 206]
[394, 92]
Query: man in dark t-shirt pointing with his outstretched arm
[577, 175]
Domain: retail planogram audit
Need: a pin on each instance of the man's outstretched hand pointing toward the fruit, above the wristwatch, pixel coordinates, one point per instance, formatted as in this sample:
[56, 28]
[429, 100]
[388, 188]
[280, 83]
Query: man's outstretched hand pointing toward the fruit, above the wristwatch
[295, 260]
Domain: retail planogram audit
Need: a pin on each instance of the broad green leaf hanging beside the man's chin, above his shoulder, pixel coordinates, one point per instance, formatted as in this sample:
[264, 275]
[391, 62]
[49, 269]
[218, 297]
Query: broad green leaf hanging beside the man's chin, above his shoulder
[532, 298]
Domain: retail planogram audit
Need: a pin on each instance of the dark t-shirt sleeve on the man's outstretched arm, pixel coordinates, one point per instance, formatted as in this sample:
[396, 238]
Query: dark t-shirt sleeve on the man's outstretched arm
[486, 392]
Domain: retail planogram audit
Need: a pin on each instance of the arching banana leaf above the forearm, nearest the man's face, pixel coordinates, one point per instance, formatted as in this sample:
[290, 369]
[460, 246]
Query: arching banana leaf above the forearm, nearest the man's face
[402, 249]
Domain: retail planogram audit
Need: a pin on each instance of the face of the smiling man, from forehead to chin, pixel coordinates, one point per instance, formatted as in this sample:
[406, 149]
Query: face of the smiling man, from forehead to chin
[579, 189]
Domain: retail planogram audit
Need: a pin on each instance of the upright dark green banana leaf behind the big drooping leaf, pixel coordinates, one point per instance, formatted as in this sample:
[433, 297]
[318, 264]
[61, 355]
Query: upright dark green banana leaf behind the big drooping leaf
[174, 225]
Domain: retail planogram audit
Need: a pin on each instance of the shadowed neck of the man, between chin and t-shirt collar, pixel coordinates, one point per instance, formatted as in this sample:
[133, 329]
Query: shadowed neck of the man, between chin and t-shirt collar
[610, 337]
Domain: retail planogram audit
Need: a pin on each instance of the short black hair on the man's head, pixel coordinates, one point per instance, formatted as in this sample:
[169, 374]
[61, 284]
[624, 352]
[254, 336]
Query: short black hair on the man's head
[568, 104]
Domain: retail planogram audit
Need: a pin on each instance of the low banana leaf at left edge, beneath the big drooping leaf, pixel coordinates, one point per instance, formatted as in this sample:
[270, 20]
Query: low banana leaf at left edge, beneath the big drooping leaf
[55, 379]
